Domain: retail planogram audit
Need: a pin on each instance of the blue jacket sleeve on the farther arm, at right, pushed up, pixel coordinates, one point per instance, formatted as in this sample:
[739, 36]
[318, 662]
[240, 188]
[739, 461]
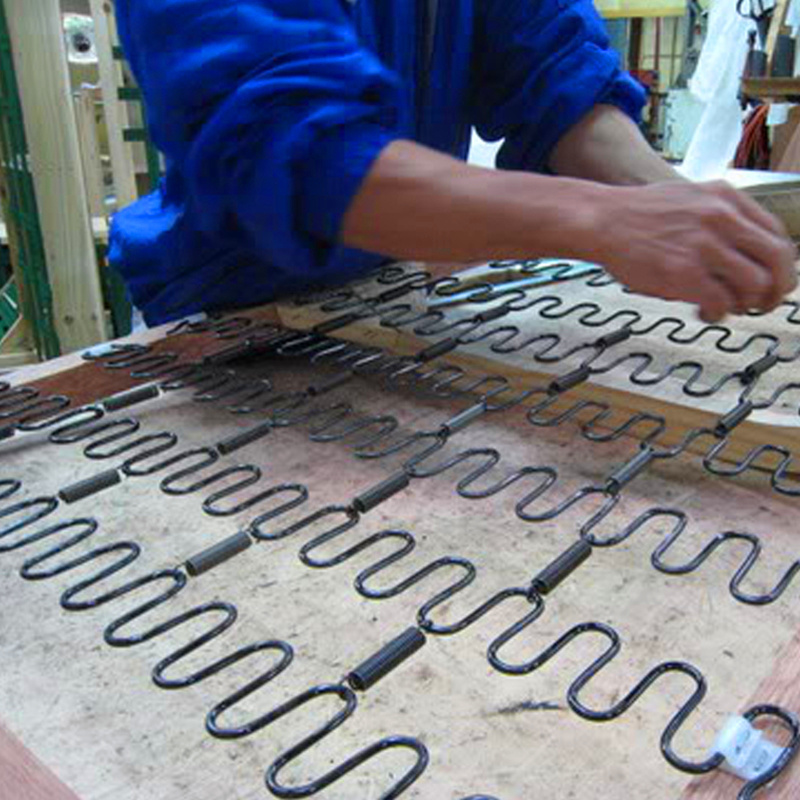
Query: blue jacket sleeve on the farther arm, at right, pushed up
[542, 66]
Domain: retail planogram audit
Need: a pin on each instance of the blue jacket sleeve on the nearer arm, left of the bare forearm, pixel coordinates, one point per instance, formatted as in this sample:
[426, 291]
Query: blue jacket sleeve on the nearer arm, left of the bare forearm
[270, 110]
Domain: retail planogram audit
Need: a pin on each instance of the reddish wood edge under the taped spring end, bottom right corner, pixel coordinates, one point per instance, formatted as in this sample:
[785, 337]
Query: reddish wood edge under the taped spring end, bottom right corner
[781, 687]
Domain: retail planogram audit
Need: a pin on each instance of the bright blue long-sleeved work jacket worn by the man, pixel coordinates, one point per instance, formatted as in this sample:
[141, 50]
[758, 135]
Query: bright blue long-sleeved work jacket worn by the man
[270, 113]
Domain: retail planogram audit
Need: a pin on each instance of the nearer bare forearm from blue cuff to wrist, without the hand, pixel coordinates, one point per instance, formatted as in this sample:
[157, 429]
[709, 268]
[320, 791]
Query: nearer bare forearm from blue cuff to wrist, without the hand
[419, 204]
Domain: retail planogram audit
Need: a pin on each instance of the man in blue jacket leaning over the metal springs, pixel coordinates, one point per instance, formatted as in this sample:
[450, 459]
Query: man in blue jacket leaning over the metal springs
[308, 140]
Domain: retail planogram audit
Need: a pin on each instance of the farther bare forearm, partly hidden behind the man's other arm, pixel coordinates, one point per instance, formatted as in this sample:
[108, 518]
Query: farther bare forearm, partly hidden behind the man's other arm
[606, 146]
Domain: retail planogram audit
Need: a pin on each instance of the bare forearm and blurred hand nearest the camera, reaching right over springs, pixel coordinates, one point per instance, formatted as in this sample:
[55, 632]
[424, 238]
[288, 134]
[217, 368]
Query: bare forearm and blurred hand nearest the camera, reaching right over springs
[705, 244]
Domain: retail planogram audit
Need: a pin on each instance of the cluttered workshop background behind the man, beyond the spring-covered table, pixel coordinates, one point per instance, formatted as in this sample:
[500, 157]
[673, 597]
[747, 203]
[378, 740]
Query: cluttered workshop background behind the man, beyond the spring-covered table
[75, 145]
